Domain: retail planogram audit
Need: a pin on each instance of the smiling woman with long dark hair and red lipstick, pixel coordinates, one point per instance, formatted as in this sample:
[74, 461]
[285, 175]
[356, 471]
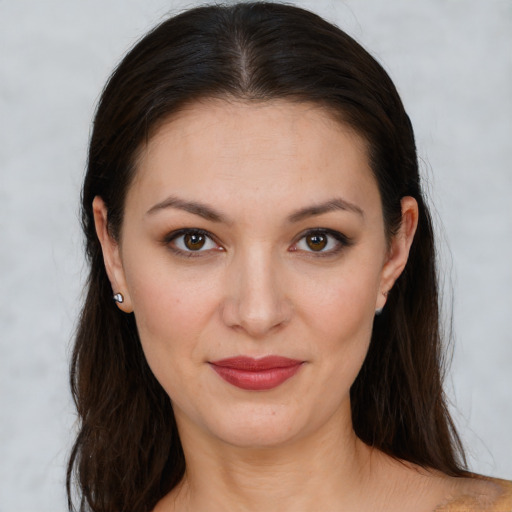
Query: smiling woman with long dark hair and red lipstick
[253, 206]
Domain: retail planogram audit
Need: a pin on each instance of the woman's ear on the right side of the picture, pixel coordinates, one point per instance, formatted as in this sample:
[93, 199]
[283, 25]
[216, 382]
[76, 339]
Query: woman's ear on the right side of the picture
[400, 246]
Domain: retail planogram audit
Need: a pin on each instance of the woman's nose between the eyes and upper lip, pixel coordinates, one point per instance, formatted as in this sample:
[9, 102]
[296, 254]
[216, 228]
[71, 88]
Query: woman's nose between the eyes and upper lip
[256, 300]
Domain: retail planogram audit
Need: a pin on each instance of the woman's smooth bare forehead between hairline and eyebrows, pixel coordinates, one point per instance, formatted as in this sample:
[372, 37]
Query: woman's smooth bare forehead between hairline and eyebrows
[265, 152]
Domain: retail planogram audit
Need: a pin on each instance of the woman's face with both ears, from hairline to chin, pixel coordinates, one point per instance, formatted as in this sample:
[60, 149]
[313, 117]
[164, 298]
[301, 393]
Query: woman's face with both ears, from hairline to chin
[254, 230]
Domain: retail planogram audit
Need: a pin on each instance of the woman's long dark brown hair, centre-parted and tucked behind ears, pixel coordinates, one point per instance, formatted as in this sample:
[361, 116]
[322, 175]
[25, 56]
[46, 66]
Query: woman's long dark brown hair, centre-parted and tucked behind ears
[127, 454]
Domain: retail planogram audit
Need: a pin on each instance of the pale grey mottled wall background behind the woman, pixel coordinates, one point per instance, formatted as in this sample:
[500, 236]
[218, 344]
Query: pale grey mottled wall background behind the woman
[452, 63]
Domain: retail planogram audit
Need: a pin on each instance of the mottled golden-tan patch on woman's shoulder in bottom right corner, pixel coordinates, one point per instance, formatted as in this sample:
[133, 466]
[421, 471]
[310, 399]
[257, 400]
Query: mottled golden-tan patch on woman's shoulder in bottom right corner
[479, 494]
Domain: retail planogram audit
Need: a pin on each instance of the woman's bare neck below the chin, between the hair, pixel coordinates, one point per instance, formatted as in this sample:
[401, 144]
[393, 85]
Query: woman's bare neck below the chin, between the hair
[331, 466]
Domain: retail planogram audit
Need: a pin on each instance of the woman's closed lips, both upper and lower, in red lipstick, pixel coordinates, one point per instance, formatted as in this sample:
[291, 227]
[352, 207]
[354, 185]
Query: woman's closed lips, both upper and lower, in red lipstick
[256, 374]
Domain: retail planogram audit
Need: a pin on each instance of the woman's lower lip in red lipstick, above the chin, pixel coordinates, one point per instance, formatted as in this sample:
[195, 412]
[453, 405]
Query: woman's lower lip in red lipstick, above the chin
[256, 380]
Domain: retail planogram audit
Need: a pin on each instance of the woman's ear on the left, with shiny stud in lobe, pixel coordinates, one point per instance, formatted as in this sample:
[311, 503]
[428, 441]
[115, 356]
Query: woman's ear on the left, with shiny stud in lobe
[111, 254]
